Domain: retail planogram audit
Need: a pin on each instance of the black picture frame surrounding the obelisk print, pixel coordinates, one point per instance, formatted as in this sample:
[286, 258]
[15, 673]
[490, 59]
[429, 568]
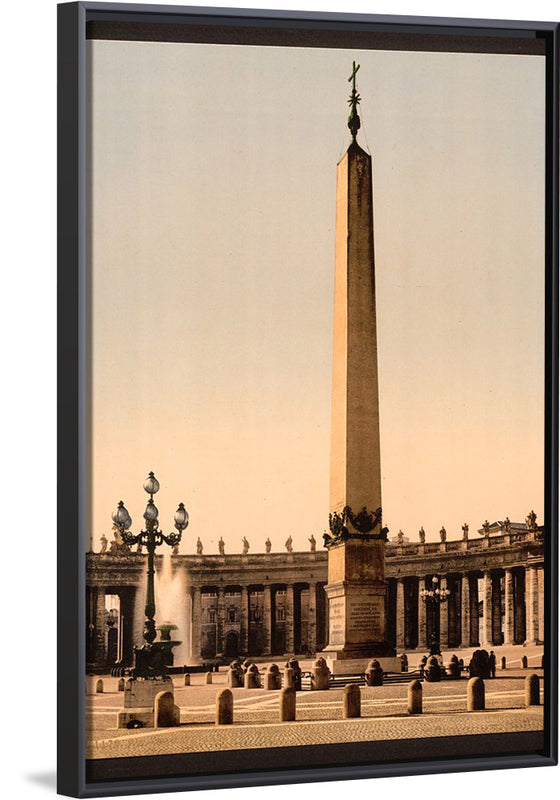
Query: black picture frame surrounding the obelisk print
[73, 294]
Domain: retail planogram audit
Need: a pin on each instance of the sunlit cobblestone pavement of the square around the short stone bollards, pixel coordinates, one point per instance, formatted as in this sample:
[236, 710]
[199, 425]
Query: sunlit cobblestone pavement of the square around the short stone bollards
[256, 723]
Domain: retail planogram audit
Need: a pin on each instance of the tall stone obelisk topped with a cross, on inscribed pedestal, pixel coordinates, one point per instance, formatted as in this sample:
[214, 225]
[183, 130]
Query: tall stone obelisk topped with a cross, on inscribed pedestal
[356, 587]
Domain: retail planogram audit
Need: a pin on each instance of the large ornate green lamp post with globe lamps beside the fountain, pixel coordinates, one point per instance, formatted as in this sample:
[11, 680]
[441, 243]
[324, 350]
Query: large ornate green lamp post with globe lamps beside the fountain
[149, 661]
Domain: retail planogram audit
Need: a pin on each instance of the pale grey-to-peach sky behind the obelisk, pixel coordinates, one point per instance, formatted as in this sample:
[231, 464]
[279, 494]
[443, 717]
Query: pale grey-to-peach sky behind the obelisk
[212, 221]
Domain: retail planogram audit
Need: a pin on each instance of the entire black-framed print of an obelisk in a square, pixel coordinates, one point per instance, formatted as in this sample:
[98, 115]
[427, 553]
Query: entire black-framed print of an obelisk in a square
[308, 353]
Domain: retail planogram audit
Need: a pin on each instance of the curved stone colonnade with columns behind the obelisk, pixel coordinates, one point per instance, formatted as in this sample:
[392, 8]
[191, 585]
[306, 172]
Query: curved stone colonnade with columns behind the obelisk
[274, 605]
